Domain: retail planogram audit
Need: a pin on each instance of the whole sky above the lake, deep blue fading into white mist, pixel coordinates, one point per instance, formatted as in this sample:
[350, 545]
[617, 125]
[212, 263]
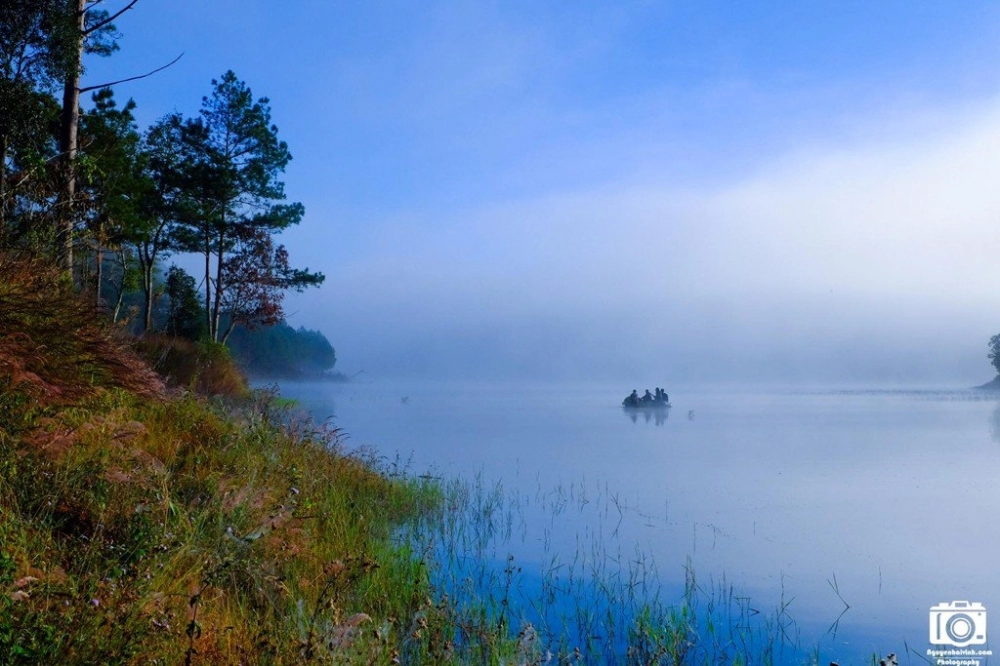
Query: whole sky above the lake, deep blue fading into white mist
[703, 190]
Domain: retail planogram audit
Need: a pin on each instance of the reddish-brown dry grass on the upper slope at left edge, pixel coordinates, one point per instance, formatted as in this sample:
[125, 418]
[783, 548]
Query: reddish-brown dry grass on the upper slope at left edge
[54, 346]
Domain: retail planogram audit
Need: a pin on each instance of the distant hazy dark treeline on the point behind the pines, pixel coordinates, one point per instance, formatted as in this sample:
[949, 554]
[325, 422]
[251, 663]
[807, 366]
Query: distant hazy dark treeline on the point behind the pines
[281, 351]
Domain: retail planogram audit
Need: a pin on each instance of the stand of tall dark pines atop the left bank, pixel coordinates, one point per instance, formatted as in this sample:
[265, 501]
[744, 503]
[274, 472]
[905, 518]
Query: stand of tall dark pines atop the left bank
[85, 188]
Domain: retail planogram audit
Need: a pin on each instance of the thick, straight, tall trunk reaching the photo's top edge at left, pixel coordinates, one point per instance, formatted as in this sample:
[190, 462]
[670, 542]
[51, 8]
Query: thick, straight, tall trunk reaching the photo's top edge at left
[67, 147]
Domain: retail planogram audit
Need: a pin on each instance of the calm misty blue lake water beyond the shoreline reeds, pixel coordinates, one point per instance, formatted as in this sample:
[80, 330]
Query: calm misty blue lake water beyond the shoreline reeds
[888, 500]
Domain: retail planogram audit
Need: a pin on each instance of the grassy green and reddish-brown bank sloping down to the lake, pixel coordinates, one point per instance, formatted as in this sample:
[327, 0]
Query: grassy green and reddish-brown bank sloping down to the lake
[144, 523]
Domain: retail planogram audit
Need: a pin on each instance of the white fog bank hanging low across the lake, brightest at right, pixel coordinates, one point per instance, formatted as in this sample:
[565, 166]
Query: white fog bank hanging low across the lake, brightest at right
[888, 246]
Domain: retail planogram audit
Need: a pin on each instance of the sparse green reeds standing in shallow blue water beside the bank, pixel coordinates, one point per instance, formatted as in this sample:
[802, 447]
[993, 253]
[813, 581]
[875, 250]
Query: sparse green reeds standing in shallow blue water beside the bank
[499, 570]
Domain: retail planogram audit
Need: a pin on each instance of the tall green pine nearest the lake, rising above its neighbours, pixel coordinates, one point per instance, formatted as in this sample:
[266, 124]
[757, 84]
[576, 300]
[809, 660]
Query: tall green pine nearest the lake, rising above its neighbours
[233, 162]
